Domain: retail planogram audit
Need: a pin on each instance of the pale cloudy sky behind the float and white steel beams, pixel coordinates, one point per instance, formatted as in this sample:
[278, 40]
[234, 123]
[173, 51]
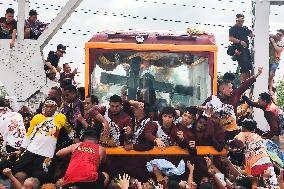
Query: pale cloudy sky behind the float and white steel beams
[92, 16]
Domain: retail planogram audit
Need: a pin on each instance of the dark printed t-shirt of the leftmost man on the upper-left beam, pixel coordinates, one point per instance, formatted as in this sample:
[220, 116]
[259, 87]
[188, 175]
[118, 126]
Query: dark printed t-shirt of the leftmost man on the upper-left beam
[6, 29]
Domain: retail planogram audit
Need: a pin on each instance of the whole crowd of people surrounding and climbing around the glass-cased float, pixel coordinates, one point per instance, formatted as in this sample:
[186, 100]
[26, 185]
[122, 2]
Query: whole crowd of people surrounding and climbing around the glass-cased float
[63, 144]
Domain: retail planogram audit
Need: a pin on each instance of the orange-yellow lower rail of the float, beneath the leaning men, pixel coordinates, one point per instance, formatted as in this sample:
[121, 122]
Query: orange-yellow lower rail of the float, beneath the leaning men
[171, 150]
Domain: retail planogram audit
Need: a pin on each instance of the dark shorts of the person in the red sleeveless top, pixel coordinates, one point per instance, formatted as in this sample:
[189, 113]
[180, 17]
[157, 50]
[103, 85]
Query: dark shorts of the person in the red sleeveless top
[99, 184]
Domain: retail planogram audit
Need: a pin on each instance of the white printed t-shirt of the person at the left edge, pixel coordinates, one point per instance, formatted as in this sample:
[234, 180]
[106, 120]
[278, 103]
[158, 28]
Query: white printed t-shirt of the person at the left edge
[12, 128]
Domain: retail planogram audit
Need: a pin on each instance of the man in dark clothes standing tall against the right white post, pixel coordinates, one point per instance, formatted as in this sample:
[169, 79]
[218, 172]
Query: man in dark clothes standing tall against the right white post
[238, 35]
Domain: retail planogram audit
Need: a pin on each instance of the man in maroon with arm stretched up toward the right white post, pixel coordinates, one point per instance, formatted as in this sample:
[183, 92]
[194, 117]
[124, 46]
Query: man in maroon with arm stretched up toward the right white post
[231, 96]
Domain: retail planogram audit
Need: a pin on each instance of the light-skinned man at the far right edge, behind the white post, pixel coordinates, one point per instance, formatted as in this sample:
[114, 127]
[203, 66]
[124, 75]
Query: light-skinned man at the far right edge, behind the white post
[275, 49]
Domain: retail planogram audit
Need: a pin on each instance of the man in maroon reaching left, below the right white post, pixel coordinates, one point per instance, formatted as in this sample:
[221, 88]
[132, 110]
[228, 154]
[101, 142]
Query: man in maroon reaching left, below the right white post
[271, 112]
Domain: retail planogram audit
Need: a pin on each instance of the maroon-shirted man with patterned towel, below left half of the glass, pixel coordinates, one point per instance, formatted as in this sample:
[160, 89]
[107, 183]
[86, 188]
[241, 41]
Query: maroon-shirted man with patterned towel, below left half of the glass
[120, 123]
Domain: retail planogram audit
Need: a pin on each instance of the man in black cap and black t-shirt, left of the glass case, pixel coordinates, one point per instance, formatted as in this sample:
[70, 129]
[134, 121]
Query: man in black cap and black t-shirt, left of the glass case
[51, 65]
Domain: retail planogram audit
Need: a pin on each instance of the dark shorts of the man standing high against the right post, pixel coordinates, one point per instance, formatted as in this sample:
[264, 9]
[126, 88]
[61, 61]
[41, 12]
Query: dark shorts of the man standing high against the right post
[244, 61]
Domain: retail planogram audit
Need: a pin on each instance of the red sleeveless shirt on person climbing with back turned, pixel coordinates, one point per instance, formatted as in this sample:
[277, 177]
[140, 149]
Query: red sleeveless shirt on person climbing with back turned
[84, 164]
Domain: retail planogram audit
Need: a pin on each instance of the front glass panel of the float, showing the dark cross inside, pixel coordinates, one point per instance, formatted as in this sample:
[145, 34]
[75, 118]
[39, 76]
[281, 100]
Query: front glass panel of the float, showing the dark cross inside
[160, 78]
